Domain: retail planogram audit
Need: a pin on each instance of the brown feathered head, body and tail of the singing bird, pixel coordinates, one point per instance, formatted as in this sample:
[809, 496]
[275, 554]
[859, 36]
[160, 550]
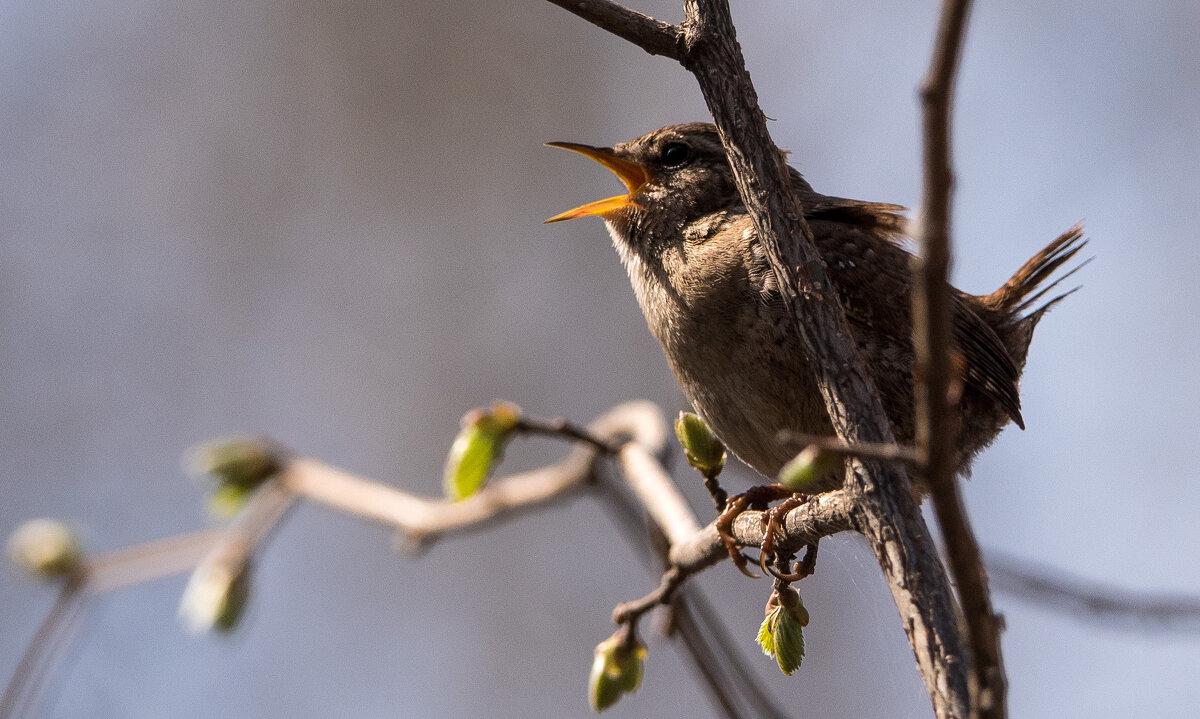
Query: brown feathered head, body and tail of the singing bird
[712, 302]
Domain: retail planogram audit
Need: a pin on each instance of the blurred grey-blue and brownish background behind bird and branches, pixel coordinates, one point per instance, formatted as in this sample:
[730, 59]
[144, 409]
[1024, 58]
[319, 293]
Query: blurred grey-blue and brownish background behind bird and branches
[323, 221]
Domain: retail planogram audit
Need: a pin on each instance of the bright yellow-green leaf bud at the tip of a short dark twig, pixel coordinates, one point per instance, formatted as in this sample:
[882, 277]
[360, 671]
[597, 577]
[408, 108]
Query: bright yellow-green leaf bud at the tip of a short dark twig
[478, 448]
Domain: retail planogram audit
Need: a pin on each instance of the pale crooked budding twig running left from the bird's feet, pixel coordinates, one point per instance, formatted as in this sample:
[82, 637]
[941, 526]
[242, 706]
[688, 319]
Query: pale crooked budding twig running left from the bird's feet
[693, 549]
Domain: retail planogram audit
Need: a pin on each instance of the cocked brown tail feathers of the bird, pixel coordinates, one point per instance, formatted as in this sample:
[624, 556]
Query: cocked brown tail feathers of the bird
[1024, 290]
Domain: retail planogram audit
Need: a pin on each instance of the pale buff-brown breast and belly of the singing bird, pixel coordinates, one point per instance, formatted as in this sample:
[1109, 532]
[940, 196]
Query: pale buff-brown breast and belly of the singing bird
[729, 340]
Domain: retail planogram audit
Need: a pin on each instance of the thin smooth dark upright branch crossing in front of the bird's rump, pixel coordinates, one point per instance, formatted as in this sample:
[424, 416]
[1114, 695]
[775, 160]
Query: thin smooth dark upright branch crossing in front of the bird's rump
[932, 341]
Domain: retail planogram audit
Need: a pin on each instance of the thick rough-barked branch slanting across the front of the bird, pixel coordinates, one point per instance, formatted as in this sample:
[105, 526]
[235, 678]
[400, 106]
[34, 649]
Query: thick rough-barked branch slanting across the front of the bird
[886, 512]
